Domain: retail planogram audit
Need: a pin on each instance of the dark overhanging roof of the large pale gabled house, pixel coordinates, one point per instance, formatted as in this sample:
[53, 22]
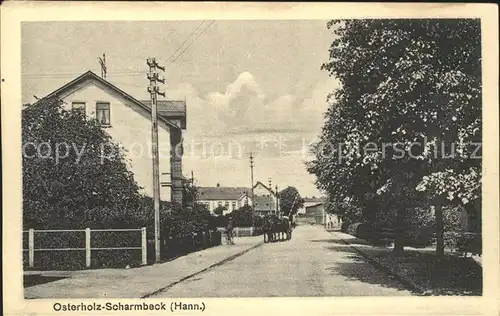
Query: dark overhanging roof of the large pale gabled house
[163, 115]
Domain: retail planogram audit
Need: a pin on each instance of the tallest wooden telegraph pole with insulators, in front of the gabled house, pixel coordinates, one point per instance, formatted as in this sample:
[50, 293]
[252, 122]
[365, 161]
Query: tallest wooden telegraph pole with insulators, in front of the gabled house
[154, 91]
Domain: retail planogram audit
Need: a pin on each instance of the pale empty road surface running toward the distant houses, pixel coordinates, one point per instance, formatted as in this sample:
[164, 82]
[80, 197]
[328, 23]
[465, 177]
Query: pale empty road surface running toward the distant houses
[313, 263]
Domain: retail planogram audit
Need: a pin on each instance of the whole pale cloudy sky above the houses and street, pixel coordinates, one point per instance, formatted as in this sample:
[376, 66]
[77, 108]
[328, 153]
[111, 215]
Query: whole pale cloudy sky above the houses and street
[250, 86]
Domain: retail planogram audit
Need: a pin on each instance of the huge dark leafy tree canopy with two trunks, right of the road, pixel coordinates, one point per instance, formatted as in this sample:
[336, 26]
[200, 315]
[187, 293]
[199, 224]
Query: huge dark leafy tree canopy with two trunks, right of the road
[414, 85]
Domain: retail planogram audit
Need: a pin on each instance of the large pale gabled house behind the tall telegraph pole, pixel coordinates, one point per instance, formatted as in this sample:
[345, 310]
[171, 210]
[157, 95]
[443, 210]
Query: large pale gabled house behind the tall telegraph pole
[128, 121]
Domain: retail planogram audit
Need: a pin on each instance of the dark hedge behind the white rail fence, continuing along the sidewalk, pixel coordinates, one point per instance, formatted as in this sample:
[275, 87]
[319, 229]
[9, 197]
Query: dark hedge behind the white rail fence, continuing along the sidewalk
[178, 226]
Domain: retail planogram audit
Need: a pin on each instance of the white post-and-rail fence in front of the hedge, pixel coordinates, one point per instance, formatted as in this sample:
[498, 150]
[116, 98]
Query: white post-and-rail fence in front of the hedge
[88, 248]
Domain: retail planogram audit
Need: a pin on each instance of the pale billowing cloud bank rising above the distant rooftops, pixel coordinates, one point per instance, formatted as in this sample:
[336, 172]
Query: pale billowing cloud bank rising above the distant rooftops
[242, 116]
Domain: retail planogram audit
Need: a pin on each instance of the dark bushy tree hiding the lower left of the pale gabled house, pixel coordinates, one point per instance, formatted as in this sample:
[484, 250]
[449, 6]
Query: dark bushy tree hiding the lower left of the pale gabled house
[73, 173]
